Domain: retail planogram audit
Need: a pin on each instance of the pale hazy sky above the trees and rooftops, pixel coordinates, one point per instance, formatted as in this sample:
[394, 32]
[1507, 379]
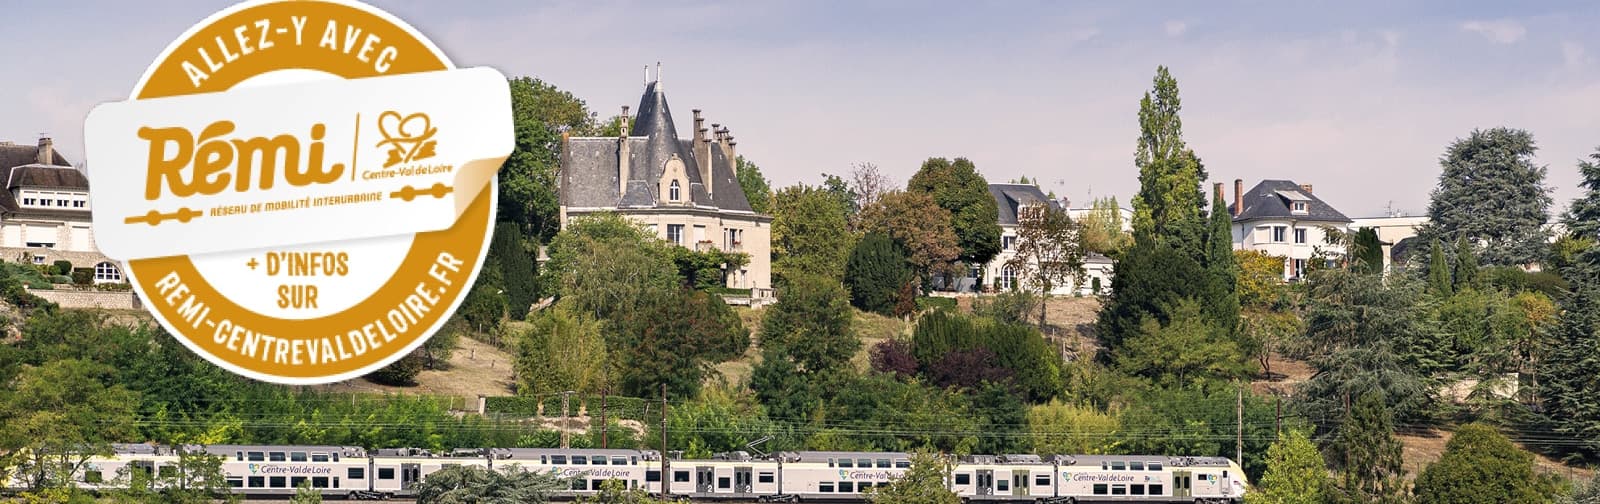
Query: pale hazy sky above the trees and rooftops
[1356, 98]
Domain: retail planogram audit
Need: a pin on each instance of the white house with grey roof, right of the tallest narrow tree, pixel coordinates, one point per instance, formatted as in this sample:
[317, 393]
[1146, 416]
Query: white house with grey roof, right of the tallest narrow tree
[1286, 220]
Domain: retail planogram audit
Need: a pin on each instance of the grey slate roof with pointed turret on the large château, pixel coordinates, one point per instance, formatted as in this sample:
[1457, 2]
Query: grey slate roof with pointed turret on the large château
[590, 166]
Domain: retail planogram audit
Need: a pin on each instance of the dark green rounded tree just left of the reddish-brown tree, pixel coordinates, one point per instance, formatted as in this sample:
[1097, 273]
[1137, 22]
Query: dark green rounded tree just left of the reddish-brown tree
[876, 271]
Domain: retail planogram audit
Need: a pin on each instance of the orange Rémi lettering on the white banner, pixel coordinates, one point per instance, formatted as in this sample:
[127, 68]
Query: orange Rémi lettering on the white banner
[188, 166]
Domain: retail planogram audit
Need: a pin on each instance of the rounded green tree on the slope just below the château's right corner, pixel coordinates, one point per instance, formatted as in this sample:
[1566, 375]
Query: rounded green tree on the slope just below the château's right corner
[810, 324]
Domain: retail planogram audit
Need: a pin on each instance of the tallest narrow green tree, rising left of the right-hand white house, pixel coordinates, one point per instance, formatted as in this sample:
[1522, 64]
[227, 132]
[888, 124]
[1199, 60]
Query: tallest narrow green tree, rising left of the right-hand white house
[1170, 204]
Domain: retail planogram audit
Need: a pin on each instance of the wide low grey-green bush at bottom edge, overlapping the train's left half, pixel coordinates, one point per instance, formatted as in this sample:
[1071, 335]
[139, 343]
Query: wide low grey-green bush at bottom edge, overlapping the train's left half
[481, 486]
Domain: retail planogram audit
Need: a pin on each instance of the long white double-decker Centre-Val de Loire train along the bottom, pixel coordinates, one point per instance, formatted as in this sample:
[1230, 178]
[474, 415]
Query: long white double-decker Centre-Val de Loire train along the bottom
[782, 478]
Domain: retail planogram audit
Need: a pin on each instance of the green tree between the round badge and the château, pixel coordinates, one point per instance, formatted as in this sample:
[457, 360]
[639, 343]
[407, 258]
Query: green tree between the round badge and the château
[527, 182]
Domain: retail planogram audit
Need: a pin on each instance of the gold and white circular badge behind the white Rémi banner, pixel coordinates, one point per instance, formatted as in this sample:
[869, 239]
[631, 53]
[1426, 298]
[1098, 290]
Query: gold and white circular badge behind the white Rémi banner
[318, 313]
